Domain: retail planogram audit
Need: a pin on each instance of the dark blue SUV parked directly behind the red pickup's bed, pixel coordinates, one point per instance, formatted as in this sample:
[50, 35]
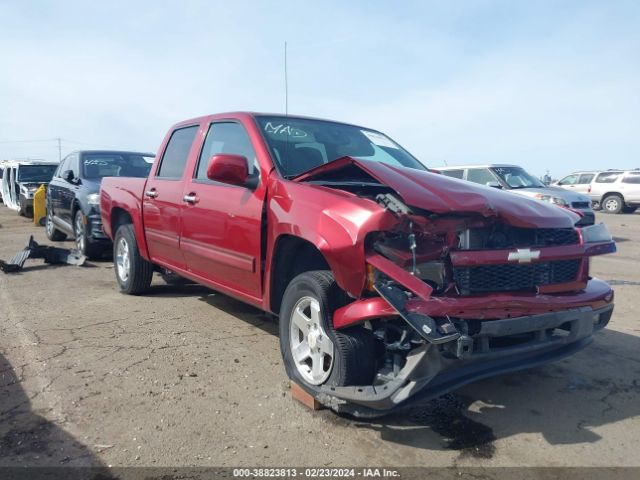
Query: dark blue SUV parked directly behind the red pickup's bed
[73, 200]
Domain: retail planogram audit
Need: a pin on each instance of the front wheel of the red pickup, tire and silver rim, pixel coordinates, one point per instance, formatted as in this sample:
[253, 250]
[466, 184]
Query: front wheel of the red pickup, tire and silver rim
[313, 352]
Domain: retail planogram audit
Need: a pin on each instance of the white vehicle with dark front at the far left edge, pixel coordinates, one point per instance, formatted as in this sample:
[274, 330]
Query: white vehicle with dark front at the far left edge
[21, 179]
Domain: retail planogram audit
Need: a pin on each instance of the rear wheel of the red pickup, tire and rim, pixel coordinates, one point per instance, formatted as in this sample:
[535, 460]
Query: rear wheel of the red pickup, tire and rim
[133, 273]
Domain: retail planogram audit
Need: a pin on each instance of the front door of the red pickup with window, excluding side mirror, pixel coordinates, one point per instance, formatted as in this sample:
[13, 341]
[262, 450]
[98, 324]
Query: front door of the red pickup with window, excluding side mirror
[222, 223]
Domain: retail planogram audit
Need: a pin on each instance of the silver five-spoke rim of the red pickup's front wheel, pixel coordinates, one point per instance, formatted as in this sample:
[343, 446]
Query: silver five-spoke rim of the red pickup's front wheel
[311, 348]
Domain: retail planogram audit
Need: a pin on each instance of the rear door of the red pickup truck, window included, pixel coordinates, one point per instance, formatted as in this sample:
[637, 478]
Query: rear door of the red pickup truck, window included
[162, 199]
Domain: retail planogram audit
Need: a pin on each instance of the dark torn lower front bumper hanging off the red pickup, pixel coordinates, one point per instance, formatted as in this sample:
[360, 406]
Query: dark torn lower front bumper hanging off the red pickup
[498, 346]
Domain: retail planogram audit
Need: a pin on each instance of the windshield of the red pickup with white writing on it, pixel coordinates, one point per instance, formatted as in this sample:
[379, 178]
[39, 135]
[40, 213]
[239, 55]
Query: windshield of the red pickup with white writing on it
[298, 145]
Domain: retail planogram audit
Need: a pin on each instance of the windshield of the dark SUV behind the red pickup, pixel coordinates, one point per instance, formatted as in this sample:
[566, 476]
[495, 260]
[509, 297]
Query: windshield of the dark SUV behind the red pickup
[99, 165]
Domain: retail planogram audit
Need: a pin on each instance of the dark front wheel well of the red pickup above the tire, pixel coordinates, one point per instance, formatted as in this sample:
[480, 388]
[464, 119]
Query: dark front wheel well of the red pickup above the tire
[291, 257]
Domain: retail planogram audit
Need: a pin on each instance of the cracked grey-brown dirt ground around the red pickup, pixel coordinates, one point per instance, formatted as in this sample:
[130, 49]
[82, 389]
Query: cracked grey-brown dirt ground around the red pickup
[187, 377]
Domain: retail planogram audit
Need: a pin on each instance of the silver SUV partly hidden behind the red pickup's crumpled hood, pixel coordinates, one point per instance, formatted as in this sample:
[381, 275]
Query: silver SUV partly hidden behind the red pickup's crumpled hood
[516, 180]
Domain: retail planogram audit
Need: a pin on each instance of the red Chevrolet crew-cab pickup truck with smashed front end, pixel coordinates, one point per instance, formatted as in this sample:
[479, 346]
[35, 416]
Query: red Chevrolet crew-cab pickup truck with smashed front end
[390, 281]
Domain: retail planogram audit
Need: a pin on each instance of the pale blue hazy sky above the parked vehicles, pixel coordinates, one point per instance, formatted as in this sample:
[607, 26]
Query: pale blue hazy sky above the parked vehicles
[549, 85]
